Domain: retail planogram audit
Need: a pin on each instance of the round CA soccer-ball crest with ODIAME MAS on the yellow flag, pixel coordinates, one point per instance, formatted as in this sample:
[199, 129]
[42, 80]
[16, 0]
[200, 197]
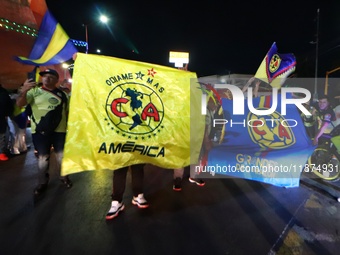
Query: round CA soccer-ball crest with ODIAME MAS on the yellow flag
[134, 107]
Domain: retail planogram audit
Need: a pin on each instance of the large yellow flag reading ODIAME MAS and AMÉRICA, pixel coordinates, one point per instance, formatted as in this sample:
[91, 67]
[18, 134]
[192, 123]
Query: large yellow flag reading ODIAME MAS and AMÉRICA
[125, 112]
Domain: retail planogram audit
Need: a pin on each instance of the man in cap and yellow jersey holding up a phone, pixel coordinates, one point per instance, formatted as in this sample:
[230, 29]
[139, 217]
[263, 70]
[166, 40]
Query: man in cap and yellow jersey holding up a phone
[43, 101]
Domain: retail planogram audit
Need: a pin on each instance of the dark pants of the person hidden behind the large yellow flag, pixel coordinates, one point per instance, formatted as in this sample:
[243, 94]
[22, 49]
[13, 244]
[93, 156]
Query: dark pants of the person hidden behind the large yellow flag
[119, 181]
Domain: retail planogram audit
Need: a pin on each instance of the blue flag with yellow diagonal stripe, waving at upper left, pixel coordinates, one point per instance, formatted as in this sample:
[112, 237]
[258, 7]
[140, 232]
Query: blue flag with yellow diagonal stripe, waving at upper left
[52, 46]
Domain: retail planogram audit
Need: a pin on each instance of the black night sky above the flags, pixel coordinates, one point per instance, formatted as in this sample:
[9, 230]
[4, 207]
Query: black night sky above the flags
[221, 36]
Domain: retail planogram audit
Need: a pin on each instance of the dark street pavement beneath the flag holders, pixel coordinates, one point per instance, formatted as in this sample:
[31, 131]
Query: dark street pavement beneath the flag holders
[226, 216]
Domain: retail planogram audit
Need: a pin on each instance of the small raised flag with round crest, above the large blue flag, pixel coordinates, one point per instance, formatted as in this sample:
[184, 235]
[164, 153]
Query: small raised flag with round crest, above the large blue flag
[276, 67]
